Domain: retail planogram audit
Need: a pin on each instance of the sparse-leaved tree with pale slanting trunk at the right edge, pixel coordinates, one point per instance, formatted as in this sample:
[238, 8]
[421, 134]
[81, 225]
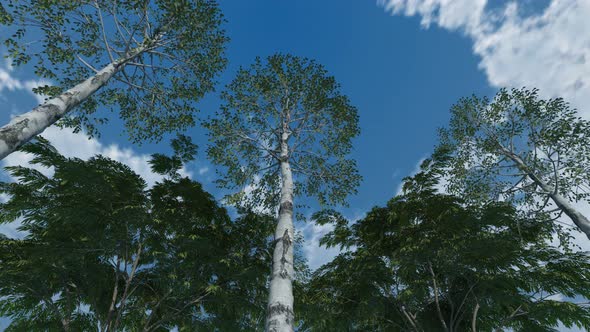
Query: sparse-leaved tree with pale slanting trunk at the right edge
[521, 148]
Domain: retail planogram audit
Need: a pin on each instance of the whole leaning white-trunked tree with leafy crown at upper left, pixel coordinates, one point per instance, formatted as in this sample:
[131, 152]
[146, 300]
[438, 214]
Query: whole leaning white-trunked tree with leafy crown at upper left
[151, 60]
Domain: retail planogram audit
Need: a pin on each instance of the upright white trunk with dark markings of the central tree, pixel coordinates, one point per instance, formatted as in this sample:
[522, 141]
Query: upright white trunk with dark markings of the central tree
[280, 315]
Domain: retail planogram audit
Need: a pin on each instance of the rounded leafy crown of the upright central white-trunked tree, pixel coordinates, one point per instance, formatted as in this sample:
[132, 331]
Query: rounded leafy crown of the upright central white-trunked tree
[286, 108]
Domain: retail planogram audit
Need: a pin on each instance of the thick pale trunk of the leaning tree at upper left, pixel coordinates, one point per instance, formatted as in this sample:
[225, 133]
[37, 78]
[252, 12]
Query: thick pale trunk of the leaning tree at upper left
[24, 127]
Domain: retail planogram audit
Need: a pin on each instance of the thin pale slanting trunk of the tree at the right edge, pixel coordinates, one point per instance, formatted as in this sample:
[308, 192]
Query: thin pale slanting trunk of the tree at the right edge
[562, 203]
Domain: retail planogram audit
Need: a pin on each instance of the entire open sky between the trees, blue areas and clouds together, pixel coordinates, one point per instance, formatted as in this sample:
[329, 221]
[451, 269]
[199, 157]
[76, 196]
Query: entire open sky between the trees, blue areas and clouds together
[402, 63]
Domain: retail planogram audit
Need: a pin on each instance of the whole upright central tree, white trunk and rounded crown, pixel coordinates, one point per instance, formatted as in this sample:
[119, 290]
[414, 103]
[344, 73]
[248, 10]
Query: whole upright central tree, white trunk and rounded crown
[284, 129]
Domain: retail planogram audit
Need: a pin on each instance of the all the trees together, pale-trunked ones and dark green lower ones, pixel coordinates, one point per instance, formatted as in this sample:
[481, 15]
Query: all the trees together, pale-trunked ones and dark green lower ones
[476, 241]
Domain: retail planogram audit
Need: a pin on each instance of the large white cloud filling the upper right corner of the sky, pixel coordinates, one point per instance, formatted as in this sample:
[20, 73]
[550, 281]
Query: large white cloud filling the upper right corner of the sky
[549, 51]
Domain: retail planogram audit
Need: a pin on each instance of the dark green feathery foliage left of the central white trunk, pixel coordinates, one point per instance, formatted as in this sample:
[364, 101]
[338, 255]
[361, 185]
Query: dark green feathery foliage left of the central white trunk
[102, 252]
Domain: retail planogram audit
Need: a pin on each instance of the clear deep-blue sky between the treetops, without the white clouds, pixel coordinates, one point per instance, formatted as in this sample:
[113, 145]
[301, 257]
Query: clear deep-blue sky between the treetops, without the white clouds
[401, 77]
